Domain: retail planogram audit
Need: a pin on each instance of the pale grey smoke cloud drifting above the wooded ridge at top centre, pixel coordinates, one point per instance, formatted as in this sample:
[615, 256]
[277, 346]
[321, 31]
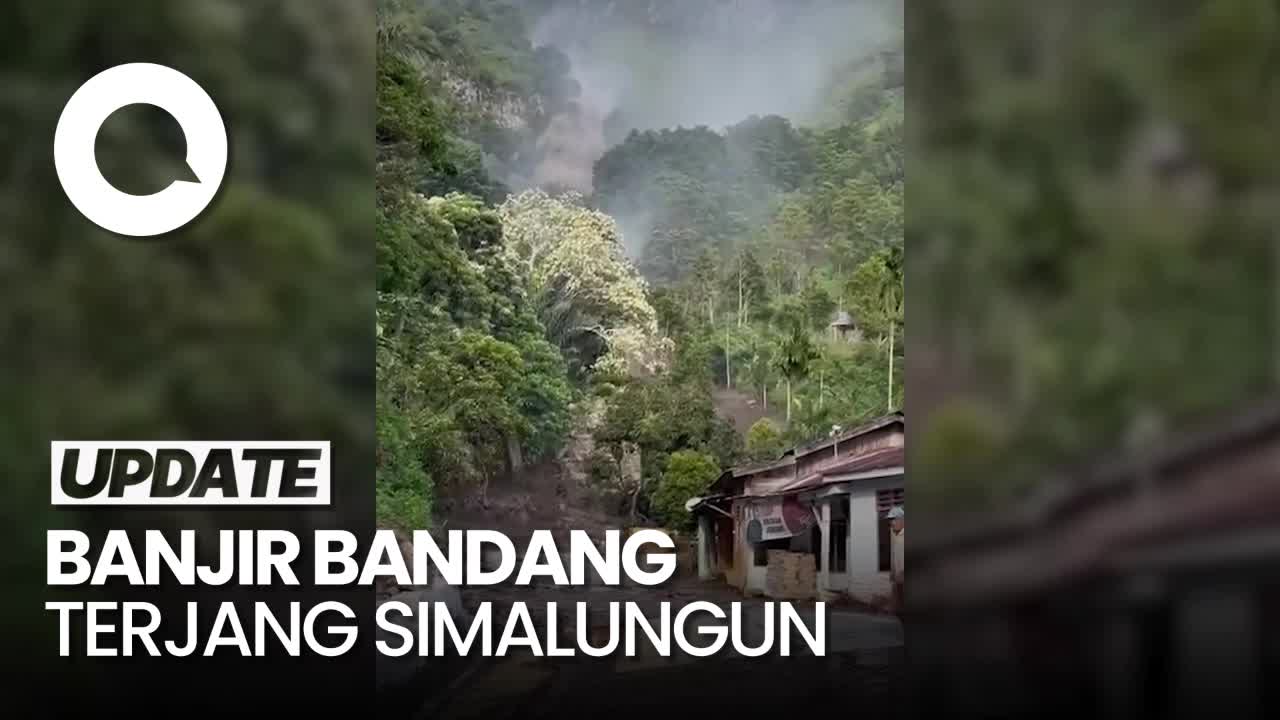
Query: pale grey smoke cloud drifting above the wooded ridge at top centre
[670, 63]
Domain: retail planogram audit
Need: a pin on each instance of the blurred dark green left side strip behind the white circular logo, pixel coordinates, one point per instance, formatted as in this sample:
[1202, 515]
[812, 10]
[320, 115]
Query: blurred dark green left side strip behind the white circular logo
[254, 322]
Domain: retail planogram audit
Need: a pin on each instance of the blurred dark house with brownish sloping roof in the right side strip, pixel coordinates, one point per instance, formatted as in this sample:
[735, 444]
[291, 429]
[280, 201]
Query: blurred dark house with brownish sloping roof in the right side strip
[1142, 584]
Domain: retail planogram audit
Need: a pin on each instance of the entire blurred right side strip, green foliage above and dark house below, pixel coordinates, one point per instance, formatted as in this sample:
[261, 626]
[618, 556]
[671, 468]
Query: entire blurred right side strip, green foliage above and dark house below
[1092, 289]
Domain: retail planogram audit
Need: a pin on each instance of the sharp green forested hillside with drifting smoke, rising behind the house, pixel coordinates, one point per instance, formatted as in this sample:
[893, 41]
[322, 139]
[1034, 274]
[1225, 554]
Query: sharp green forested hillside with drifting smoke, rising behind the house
[563, 275]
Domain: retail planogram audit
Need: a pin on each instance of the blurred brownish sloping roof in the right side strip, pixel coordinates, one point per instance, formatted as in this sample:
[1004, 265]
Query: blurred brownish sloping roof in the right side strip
[1201, 486]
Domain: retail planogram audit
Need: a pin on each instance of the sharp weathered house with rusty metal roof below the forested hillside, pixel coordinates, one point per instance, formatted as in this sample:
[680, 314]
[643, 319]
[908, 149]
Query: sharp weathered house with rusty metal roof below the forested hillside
[811, 523]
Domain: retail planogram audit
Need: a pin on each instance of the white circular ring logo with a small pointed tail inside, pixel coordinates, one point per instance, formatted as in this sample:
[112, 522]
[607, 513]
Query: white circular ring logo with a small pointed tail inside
[140, 216]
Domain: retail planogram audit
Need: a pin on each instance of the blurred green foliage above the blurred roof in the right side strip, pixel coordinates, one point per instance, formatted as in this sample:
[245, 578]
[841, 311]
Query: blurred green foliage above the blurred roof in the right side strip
[1092, 229]
